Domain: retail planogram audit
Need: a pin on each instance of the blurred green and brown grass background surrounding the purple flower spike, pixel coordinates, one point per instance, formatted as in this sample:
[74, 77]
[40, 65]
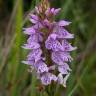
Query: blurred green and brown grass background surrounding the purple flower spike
[15, 80]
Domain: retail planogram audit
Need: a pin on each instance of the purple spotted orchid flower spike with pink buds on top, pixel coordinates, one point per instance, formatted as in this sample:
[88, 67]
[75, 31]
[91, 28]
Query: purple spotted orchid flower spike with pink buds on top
[49, 47]
